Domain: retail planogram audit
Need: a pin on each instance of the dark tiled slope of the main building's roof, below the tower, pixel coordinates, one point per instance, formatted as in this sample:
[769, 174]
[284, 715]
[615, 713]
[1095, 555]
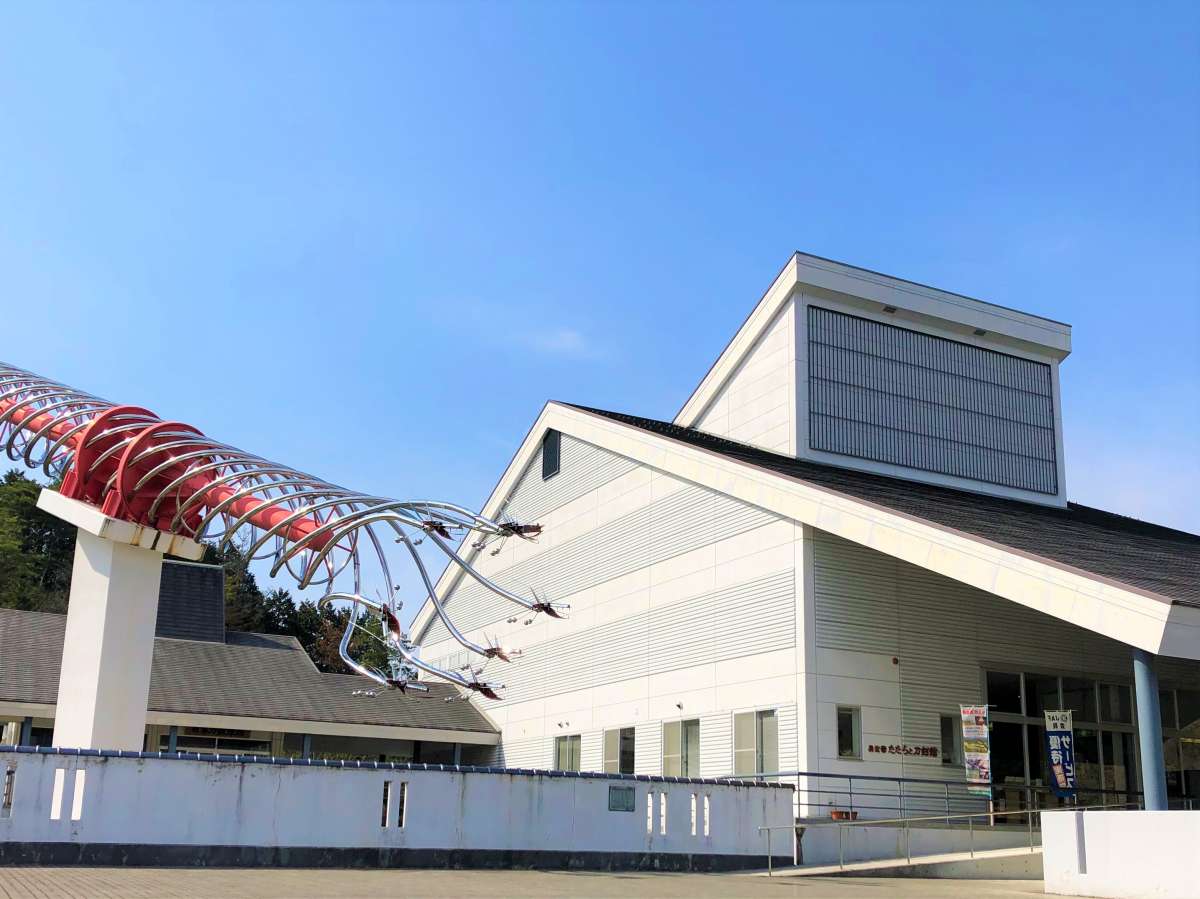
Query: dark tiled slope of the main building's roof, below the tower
[1133, 553]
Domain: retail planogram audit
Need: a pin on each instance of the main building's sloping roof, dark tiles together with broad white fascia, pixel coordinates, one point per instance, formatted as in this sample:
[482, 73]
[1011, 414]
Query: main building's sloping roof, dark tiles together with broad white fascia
[1057, 561]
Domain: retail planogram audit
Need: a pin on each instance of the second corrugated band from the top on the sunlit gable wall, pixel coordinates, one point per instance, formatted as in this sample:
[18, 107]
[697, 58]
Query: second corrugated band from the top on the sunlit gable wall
[681, 523]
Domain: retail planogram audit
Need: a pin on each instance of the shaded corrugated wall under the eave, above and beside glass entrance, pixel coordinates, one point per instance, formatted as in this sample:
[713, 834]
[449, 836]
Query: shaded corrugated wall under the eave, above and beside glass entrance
[946, 633]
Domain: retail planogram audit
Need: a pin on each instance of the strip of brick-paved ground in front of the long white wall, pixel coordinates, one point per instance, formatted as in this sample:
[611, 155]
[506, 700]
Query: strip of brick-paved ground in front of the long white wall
[297, 884]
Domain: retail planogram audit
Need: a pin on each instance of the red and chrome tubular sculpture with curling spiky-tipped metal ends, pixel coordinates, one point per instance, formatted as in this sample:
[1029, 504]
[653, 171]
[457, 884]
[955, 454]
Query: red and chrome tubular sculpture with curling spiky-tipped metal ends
[170, 477]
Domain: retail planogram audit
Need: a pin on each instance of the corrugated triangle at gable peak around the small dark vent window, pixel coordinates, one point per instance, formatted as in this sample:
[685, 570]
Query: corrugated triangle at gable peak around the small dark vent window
[583, 469]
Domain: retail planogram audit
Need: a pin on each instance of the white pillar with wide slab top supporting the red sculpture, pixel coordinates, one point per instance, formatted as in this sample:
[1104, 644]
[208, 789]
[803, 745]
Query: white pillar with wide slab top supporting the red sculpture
[109, 649]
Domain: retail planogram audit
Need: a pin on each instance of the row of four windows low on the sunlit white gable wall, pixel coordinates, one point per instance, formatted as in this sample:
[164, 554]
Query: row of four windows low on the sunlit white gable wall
[755, 747]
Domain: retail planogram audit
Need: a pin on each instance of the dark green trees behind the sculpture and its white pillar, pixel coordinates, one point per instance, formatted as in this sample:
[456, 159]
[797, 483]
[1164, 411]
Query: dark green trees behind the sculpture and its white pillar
[37, 554]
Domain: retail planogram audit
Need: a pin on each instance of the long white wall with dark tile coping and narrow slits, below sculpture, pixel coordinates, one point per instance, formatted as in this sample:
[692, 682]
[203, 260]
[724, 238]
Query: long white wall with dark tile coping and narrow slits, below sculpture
[169, 811]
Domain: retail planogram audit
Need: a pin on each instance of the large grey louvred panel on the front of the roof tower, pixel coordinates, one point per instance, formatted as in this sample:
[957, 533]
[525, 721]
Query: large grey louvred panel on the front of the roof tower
[893, 395]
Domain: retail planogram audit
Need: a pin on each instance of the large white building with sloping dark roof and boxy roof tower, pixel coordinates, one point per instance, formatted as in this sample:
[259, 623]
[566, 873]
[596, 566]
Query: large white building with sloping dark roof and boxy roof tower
[857, 523]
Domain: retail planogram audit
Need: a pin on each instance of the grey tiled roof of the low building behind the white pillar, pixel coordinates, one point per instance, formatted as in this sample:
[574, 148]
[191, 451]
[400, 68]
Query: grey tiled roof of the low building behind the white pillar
[247, 676]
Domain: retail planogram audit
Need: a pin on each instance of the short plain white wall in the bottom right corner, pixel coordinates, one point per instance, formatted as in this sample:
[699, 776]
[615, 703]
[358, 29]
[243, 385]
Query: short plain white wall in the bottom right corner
[1121, 854]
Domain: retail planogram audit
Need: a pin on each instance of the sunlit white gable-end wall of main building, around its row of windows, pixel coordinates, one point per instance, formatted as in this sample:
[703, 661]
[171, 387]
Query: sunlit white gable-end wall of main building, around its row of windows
[679, 596]
